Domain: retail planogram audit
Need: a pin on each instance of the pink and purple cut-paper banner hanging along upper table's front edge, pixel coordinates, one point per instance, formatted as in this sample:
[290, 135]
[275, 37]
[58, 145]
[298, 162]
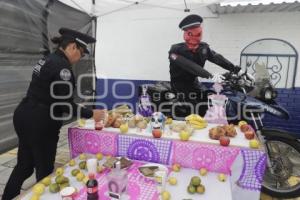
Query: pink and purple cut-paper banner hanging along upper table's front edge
[189, 154]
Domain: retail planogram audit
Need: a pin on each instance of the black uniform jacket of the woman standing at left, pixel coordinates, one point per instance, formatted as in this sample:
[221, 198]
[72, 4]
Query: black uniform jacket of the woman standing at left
[53, 82]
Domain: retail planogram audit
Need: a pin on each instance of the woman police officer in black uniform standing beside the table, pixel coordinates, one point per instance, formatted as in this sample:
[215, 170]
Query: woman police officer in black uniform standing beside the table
[36, 117]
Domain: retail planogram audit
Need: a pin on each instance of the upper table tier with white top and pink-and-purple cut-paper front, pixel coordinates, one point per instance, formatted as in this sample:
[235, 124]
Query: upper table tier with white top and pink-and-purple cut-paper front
[244, 165]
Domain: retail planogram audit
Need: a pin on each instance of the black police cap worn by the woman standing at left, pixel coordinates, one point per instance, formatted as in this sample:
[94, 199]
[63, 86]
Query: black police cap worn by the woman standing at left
[80, 38]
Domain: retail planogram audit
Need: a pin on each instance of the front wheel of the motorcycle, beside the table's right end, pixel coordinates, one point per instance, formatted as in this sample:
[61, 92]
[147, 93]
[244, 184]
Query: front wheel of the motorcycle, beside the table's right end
[284, 182]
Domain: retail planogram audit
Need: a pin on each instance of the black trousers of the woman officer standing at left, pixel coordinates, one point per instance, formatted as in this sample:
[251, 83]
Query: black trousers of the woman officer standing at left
[38, 136]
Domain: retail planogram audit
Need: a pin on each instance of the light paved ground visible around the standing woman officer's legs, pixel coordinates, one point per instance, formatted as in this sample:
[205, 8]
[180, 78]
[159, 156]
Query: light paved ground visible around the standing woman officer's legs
[8, 161]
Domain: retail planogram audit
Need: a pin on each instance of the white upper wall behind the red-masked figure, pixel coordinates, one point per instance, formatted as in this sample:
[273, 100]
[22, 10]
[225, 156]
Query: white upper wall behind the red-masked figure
[134, 44]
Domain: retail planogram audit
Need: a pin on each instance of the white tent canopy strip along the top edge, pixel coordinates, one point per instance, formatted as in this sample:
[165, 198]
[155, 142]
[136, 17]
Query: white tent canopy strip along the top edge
[105, 7]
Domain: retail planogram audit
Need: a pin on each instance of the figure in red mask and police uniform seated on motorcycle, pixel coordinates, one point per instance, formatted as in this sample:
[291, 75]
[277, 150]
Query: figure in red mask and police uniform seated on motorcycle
[187, 62]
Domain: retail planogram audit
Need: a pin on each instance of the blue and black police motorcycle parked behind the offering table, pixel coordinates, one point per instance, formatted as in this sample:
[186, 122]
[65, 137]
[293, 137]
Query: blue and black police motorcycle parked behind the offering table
[255, 99]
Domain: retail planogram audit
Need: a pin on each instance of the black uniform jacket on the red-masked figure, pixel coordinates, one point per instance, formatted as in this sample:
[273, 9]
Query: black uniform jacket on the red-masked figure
[189, 65]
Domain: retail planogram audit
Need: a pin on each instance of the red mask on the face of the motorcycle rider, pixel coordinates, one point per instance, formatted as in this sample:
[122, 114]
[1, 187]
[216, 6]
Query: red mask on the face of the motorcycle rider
[192, 37]
